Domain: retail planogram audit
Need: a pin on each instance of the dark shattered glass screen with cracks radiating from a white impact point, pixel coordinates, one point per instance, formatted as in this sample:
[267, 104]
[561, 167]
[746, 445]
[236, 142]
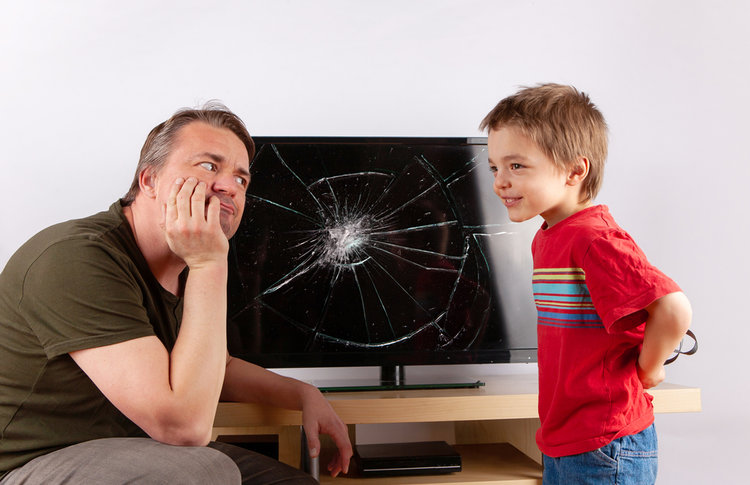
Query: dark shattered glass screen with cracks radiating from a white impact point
[391, 244]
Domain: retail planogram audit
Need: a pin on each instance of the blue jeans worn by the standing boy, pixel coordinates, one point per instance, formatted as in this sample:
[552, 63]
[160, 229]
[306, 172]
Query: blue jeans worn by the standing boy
[630, 460]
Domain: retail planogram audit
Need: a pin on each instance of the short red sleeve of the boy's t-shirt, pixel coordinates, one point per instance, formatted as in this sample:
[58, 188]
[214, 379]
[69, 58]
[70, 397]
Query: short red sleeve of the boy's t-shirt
[622, 282]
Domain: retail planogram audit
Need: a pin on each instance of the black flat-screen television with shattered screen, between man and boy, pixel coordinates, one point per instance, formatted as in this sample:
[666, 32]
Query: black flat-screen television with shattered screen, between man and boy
[386, 252]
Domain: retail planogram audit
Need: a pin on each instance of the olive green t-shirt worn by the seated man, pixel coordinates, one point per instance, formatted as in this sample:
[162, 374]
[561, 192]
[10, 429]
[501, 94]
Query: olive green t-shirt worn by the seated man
[76, 285]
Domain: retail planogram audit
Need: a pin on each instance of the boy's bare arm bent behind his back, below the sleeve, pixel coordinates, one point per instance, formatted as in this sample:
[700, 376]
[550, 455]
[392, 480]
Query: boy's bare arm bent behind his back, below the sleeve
[668, 320]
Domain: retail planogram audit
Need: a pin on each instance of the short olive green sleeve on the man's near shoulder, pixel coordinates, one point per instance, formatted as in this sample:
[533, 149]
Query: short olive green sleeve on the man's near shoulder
[81, 294]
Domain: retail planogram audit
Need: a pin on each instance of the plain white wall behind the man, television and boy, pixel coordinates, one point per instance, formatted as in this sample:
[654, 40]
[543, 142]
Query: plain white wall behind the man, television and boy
[84, 81]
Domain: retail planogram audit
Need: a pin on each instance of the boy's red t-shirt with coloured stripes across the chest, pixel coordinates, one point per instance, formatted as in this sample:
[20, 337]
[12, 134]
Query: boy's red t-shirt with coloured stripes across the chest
[591, 285]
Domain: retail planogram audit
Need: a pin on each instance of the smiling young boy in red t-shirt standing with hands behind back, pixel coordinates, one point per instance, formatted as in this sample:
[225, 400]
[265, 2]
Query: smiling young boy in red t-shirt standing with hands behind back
[607, 318]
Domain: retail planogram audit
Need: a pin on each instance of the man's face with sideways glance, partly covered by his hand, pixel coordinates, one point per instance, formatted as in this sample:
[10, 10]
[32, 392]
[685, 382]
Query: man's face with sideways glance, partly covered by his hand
[215, 156]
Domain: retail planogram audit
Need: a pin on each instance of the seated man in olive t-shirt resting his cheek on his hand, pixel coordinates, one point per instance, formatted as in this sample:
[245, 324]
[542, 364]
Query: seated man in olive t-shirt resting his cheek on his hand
[112, 330]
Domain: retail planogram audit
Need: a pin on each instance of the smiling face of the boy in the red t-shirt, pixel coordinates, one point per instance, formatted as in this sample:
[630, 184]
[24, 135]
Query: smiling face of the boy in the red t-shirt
[528, 182]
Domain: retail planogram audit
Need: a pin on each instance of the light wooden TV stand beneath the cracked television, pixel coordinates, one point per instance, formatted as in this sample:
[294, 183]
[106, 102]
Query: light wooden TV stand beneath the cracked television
[494, 425]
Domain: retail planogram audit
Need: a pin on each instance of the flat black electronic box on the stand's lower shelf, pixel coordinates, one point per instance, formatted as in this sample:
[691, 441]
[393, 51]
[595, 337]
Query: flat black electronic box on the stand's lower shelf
[396, 459]
